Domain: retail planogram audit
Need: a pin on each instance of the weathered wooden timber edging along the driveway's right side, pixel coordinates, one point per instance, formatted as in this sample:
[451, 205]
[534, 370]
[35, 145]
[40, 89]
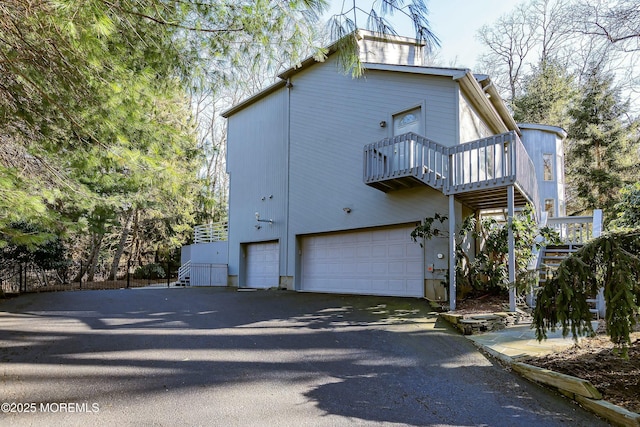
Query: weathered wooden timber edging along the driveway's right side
[578, 389]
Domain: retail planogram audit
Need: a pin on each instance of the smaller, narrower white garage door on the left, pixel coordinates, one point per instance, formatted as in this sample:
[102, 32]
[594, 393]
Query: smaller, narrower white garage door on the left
[263, 265]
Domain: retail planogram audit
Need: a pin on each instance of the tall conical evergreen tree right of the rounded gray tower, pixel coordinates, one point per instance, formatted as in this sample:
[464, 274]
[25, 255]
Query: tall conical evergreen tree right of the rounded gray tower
[603, 155]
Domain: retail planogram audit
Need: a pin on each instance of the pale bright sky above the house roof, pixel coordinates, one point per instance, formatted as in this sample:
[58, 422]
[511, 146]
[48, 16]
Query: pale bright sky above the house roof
[454, 22]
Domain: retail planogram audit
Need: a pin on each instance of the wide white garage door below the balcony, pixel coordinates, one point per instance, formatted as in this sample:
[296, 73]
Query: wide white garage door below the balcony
[380, 261]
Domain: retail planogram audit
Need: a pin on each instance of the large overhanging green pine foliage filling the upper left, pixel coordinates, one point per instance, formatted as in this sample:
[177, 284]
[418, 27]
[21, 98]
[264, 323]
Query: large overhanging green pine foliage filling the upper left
[81, 85]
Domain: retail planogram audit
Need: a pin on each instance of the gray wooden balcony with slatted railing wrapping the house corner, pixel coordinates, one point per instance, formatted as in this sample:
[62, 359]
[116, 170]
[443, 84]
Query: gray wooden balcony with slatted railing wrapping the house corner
[477, 173]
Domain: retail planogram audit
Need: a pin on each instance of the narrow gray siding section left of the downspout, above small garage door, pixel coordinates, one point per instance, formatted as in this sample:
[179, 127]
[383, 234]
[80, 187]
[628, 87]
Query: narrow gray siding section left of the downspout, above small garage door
[257, 166]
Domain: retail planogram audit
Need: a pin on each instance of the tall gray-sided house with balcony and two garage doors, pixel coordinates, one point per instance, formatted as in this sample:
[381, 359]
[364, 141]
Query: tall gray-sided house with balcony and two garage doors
[330, 174]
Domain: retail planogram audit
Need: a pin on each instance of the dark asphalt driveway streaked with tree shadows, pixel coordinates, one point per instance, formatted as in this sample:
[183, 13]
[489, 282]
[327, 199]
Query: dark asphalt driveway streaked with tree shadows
[214, 356]
